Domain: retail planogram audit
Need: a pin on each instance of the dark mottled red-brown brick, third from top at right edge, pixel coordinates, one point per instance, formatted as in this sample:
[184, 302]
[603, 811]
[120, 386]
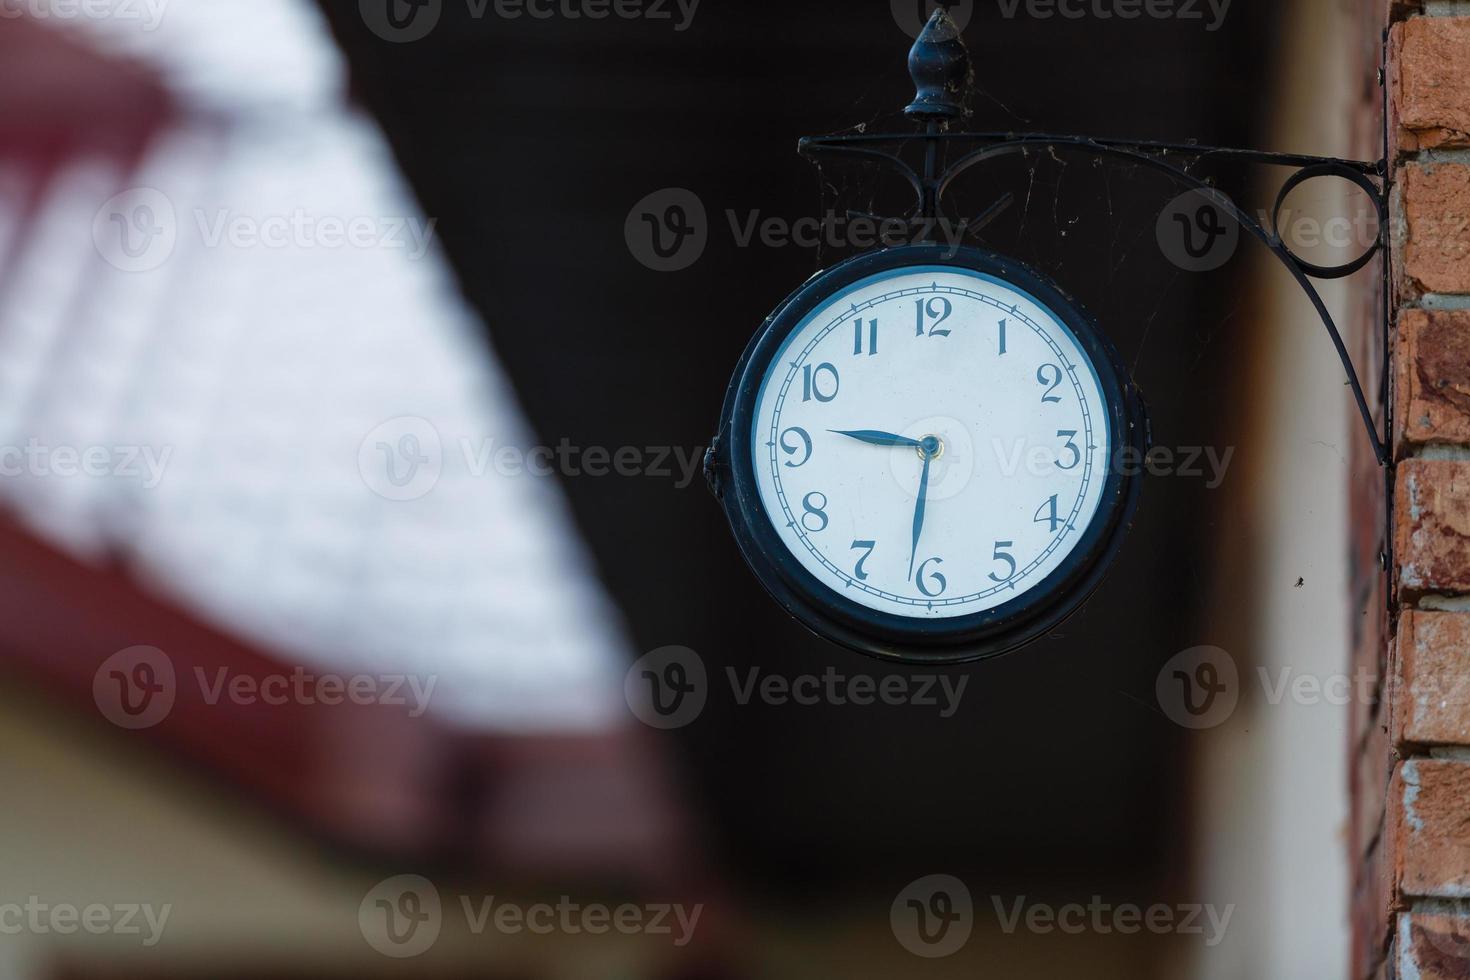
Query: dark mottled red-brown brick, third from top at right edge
[1433, 377]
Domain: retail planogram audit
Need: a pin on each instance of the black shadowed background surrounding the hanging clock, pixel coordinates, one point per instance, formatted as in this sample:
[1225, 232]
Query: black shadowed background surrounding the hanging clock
[531, 140]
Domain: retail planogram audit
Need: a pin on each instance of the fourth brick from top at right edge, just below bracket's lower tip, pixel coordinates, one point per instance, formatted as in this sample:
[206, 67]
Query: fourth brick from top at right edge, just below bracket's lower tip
[1433, 525]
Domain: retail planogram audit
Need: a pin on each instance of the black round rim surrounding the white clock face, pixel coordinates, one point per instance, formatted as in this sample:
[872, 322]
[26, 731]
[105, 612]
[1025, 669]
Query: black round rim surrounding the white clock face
[886, 635]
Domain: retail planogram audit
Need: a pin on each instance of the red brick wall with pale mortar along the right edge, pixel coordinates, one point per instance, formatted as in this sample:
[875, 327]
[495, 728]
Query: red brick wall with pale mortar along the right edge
[1410, 840]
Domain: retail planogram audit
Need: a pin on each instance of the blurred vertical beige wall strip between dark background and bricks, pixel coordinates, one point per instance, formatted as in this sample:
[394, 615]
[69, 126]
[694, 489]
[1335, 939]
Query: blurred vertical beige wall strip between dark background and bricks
[1272, 782]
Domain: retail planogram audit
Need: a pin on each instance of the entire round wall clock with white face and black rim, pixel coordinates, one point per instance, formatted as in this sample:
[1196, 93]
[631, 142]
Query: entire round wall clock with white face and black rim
[918, 450]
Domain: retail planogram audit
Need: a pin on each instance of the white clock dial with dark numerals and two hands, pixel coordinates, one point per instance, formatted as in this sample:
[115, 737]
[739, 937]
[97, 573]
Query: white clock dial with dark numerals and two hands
[931, 443]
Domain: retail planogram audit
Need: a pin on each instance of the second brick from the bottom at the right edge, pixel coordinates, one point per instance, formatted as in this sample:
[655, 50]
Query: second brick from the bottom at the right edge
[1431, 840]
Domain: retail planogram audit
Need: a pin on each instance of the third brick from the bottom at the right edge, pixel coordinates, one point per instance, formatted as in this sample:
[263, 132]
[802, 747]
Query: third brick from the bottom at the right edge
[1433, 697]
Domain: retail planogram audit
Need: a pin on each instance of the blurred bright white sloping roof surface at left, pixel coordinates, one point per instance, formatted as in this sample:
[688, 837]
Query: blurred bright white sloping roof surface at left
[257, 302]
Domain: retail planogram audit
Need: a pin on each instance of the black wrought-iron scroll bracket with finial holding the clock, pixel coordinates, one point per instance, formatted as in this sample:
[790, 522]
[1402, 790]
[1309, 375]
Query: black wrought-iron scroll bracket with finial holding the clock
[940, 67]
